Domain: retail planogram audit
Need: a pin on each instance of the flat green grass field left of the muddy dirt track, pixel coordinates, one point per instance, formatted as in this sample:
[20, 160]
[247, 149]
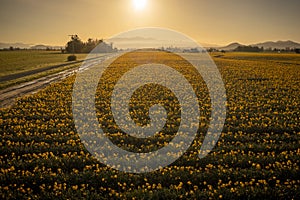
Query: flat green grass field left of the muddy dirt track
[25, 65]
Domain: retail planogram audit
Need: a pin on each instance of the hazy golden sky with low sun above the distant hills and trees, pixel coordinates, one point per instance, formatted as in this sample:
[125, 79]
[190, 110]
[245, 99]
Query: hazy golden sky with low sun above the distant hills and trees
[207, 21]
